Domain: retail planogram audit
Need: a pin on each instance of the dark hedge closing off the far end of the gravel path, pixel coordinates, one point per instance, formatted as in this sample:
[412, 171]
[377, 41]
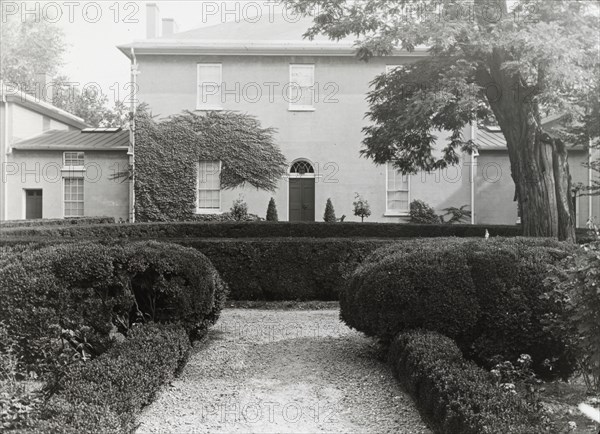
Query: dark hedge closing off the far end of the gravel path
[284, 268]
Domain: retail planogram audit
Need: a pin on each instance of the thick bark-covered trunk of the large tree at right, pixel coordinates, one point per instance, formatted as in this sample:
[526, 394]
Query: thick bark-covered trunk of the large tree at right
[539, 165]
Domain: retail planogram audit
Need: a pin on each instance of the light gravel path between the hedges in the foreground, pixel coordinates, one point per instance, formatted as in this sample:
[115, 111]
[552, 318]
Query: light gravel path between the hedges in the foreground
[267, 371]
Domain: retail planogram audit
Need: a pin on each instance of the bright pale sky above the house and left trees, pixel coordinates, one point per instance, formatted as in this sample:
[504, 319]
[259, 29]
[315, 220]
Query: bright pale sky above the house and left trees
[93, 29]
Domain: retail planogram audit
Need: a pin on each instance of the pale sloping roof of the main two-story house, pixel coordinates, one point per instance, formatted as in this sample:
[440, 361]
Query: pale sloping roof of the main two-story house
[275, 34]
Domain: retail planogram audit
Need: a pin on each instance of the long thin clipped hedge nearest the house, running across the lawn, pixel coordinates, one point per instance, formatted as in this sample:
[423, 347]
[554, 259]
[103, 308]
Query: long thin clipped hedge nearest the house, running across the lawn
[263, 230]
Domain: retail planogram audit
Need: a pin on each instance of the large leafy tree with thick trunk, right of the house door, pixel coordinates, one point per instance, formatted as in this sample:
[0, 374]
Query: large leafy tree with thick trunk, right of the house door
[512, 61]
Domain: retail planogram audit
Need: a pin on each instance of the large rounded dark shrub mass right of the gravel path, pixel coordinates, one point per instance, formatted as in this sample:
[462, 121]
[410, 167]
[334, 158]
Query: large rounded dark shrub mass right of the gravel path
[485, 294]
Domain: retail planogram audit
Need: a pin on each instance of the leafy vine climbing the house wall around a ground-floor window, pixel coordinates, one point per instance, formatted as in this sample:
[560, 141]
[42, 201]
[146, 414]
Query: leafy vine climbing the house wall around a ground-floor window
[168, 151]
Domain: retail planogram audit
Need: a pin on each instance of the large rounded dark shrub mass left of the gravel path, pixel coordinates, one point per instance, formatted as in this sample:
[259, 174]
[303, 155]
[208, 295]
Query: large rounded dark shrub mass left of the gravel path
[68, 302]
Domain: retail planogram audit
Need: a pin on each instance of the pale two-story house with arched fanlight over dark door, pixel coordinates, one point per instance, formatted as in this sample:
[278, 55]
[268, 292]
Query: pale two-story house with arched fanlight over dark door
[314, 93]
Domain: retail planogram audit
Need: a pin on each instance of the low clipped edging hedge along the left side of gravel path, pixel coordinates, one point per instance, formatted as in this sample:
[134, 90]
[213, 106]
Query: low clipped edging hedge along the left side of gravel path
[105, 394]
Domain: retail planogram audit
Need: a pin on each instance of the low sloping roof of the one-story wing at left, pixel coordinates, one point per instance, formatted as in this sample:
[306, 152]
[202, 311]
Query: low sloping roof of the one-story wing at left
[76, 141]
